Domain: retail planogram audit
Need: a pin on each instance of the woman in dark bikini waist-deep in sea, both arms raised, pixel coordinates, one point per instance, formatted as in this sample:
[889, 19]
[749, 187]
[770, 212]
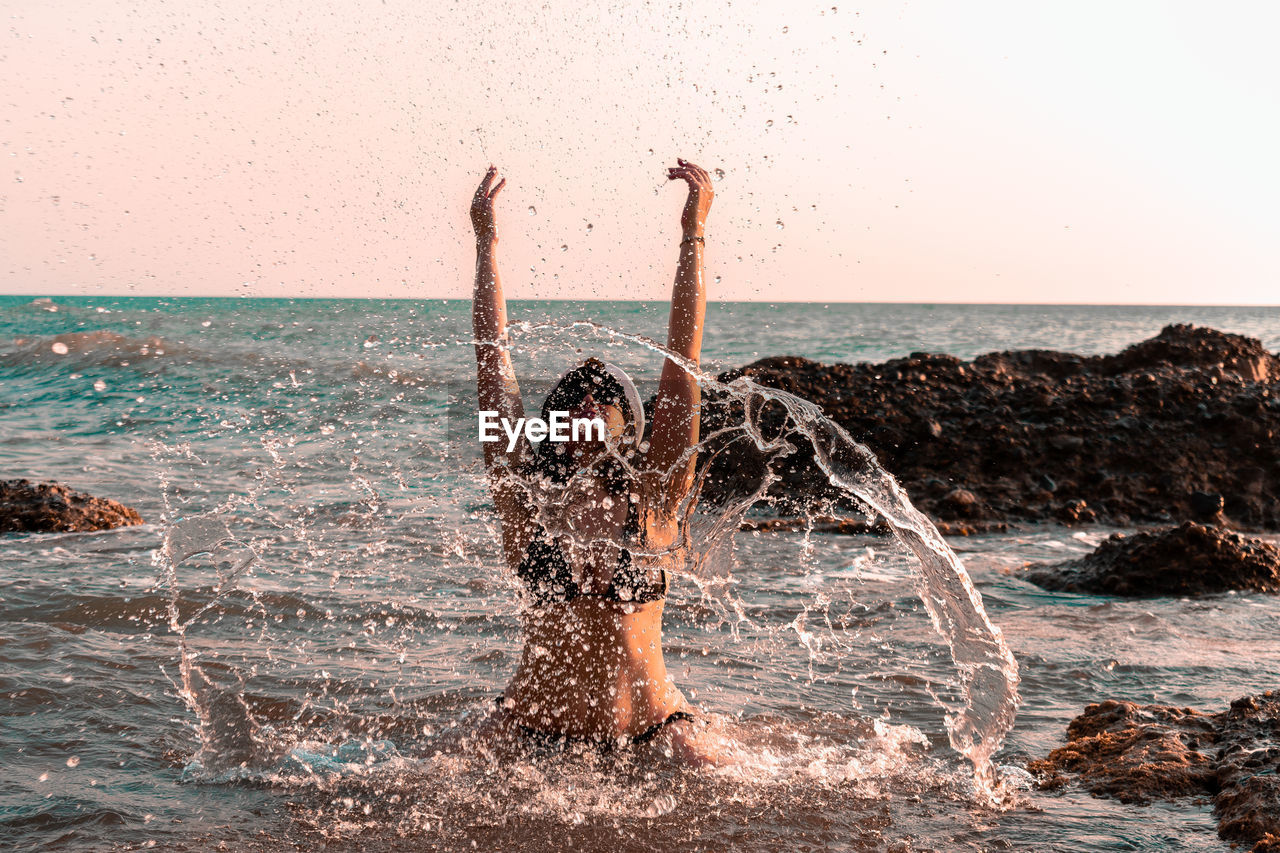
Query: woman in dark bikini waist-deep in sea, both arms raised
[592, 527]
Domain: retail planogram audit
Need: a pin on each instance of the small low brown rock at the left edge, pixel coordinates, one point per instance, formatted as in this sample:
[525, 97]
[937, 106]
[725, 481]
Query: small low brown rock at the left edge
[52, 508]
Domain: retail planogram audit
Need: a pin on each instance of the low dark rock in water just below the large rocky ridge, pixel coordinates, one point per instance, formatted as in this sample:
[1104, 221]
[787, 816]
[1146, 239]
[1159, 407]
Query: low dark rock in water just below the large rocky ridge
[1188, 560]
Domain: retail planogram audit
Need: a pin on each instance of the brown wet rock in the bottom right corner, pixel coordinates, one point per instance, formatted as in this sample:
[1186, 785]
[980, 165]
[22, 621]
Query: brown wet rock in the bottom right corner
[1141, 754]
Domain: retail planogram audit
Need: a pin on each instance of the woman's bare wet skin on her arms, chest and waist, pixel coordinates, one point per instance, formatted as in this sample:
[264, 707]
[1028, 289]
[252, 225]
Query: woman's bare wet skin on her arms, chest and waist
[595, 668]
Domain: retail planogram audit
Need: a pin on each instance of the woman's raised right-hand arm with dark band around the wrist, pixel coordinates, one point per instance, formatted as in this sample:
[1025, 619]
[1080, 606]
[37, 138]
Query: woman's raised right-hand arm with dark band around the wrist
[675, 418]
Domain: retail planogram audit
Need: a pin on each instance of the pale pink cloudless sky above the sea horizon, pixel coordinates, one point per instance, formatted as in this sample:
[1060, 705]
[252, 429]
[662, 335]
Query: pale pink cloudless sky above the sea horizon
[1085, 152]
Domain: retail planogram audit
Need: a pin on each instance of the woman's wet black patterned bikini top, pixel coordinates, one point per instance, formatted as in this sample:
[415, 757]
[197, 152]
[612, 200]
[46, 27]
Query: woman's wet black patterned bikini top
[551, 581]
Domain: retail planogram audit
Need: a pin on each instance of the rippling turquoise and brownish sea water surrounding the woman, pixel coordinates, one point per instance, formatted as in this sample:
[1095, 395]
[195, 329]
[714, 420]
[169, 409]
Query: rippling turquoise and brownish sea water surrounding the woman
[377, 615]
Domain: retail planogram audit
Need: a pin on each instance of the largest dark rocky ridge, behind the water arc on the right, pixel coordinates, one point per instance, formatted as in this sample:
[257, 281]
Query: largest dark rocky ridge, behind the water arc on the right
[1182, 427]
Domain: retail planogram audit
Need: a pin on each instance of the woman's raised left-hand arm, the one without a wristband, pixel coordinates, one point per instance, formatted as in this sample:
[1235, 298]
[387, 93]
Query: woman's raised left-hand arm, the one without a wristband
[496, 377]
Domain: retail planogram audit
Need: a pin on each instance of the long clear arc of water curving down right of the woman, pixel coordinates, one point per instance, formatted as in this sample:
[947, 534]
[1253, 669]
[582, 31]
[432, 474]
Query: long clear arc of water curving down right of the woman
[986, 667]
